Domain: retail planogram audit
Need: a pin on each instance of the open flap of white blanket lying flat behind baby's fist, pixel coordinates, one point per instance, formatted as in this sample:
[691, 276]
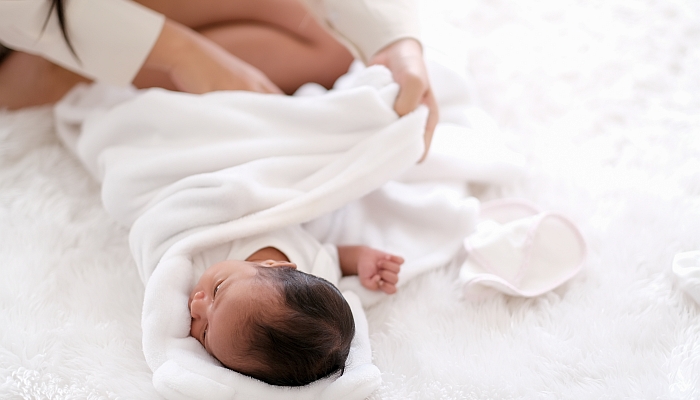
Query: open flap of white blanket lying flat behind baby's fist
[424, 222]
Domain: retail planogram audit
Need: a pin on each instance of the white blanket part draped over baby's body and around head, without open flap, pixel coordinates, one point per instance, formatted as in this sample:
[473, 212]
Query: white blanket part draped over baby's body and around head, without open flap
[191, 172]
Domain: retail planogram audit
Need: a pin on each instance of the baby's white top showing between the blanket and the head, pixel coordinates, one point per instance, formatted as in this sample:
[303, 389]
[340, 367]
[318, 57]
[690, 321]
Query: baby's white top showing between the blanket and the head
[299, 246]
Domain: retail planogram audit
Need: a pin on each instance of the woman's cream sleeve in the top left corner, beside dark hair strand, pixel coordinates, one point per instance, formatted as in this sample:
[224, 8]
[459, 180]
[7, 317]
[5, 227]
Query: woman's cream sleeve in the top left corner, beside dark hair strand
[111, 38]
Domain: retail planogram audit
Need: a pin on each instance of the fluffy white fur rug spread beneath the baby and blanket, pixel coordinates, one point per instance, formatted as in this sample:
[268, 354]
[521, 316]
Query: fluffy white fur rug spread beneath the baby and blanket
[604, 100]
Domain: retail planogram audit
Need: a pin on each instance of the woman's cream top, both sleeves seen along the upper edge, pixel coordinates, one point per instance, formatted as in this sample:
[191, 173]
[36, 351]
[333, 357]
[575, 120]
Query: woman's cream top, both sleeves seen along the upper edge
[112, 38]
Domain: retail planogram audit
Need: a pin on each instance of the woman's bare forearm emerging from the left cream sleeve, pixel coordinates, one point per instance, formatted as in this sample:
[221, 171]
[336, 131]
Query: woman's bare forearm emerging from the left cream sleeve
[195, 64]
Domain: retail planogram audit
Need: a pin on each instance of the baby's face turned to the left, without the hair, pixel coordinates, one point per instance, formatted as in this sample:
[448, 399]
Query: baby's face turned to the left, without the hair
[220, 304]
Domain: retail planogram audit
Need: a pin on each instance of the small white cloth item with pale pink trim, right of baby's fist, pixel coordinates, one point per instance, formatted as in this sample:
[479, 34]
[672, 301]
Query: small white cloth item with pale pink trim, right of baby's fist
[521, 251]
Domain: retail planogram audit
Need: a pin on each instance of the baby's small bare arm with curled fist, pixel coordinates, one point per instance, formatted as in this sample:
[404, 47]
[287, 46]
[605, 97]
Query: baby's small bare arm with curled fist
[376, 269]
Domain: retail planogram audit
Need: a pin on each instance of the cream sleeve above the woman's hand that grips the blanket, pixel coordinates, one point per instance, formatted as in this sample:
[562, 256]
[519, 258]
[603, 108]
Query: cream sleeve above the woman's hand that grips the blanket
[367, 26]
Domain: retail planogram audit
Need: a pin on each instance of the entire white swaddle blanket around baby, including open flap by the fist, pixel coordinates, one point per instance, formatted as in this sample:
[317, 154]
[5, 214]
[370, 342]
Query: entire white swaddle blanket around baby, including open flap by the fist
[187, 173]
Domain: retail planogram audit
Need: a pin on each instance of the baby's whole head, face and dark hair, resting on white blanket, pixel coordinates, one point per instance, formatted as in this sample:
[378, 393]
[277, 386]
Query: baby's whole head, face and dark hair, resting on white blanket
[271, 322]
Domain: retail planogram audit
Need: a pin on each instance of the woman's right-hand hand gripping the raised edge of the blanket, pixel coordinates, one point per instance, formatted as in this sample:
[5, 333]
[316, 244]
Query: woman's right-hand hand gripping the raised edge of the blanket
[404, 58]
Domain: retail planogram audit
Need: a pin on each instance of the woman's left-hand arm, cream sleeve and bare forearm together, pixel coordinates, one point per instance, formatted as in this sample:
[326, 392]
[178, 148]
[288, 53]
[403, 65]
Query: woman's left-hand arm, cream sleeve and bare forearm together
[112, 40]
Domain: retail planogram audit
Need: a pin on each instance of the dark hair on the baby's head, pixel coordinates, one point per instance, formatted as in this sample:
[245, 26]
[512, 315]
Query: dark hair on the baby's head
[308, 339]
